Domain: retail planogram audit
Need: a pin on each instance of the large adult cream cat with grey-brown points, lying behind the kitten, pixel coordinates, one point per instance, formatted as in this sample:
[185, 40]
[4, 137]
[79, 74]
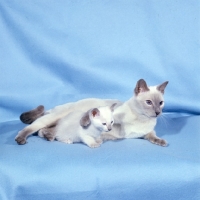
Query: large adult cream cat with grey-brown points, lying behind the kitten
[135, 118]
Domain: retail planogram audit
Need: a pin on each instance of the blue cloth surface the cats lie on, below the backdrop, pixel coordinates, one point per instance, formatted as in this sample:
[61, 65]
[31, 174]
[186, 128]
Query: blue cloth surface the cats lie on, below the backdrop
[124, 169]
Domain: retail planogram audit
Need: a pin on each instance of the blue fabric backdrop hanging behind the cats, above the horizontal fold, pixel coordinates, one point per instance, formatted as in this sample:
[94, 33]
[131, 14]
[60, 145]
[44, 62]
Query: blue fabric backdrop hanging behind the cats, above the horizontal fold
[53, 52]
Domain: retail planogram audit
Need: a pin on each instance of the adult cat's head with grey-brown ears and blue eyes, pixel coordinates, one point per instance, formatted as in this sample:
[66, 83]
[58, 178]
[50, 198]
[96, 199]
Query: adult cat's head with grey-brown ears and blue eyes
[150, 101]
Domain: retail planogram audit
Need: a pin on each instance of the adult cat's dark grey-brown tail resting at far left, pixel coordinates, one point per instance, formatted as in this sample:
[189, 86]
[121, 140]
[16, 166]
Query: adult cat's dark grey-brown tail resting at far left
[32, 115]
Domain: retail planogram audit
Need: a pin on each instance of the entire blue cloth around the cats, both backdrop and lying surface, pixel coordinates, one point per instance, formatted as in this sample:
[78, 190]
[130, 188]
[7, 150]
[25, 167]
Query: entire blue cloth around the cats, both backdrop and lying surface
[53, 52]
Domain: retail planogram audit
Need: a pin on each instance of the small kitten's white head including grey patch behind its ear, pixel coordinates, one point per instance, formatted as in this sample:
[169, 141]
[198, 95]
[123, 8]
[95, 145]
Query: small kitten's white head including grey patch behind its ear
[101, 118]
